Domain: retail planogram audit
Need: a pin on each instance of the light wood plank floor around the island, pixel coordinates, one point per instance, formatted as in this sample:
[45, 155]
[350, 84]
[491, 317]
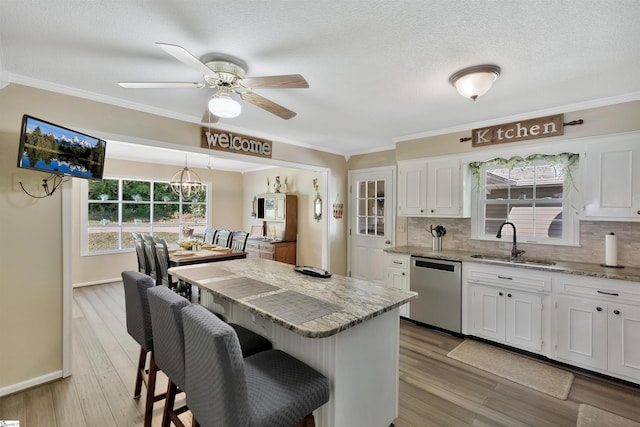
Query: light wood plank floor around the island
[434, 390]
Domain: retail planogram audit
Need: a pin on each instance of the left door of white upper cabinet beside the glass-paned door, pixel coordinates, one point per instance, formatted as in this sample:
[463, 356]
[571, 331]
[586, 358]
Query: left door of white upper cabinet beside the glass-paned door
[412, 188]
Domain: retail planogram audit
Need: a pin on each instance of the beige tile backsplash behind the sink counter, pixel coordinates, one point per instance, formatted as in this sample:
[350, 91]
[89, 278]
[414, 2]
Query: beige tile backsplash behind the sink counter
[591, 249]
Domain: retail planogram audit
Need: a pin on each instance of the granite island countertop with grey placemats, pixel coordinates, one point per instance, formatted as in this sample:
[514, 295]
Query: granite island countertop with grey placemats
[309, 306]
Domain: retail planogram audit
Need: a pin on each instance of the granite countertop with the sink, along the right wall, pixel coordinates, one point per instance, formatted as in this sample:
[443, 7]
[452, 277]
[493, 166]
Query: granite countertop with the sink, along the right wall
[578, 268]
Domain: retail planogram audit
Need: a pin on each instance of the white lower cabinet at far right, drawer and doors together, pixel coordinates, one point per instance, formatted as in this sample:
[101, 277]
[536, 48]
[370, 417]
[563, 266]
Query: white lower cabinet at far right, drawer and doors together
[598, 325]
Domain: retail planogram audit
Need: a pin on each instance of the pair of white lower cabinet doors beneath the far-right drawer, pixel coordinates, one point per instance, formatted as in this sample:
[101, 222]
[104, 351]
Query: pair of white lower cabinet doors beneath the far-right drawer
[599, 334]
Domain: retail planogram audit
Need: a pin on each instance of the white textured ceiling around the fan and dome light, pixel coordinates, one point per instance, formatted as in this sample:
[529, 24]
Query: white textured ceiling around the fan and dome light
[378, 70]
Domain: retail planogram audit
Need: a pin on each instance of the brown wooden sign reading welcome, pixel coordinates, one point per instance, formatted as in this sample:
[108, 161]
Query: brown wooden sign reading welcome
[216, 139]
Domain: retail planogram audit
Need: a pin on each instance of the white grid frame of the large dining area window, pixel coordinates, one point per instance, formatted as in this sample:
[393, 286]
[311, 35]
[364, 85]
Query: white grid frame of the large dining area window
[84, 212]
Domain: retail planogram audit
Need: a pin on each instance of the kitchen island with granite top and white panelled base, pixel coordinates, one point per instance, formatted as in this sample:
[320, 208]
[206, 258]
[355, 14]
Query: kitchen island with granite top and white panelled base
[347, 329]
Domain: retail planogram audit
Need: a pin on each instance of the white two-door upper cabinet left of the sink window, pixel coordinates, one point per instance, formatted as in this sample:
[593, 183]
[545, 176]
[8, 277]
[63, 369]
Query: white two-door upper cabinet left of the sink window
[431, 188]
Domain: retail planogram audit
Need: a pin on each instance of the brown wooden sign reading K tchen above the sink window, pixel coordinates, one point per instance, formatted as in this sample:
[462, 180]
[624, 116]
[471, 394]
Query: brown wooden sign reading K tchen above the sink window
[542, 127]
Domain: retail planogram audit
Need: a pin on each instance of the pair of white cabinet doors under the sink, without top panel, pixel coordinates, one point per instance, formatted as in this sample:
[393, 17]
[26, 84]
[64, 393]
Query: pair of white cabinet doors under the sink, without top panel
[508, 316]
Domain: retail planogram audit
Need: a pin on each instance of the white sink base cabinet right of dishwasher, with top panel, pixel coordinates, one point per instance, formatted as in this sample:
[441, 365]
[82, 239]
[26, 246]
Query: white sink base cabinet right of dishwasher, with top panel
[505, 305]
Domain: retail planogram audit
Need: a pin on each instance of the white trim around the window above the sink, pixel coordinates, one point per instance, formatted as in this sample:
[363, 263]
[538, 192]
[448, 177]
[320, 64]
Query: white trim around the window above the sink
[570, 217]
